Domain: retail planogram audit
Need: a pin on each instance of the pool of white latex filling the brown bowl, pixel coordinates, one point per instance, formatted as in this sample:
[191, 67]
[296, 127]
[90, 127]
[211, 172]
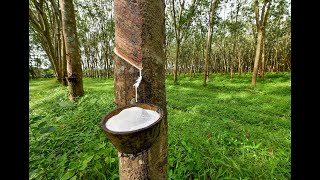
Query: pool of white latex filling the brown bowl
[132, 119]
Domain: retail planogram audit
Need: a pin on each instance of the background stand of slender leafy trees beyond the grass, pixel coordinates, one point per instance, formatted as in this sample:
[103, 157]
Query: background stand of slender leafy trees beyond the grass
[233, 42]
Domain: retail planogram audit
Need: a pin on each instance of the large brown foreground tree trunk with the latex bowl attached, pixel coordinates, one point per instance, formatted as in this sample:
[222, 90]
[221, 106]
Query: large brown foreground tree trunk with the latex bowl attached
[152, 163]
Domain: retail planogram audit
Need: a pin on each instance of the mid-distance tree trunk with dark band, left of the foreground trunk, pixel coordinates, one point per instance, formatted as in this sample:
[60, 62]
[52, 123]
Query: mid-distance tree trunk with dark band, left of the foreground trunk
[74, 68]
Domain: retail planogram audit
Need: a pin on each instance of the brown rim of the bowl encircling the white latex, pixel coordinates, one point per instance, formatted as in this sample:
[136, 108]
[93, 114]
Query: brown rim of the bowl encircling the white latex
[120, 108]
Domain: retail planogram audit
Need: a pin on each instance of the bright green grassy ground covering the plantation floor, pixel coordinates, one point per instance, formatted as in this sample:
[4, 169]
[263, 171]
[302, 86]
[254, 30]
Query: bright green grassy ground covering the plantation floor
[226, 130]
